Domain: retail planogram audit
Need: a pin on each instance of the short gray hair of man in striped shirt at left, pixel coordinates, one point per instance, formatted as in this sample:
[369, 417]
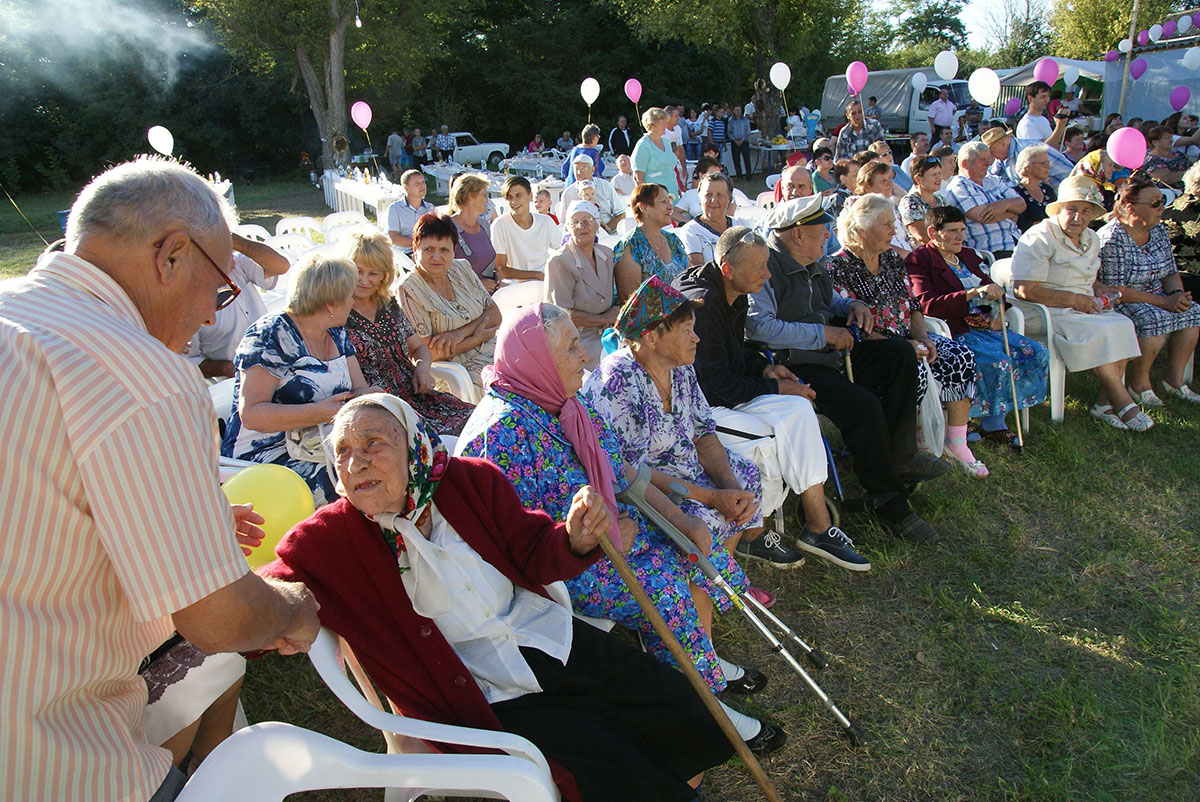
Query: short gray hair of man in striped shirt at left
[146, 199]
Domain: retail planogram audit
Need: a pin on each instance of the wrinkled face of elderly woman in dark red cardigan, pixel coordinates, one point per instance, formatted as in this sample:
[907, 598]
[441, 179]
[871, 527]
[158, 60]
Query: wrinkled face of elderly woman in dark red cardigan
[371, 457]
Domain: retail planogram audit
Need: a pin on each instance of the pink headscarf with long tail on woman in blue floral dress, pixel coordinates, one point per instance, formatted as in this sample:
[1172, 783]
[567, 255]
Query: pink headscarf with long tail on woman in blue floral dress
[525, 366]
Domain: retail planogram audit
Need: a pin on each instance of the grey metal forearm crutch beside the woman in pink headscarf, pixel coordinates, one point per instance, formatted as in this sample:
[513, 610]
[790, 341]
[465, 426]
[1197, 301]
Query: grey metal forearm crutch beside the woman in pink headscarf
[635, 495]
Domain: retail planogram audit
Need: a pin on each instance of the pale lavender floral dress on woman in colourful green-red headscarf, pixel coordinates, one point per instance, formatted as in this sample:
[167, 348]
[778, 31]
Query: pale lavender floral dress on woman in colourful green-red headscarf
[625, 394]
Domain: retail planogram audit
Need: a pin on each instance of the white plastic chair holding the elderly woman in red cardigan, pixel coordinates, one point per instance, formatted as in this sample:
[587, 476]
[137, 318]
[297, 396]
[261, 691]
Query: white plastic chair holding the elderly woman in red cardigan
[410, 737]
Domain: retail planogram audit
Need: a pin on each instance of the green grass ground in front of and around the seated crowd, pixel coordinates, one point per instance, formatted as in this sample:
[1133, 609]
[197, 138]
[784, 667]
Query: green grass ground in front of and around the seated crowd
[1046, 650]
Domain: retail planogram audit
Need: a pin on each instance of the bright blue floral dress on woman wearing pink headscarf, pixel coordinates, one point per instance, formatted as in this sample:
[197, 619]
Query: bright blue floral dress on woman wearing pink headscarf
[529, 445]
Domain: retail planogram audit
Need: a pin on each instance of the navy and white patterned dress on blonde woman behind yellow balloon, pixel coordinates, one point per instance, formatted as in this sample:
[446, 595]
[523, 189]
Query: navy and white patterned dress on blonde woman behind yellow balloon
[275, 344]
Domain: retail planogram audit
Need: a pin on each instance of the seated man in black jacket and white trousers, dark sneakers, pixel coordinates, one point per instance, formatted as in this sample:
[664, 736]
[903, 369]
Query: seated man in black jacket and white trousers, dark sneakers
[736, 376]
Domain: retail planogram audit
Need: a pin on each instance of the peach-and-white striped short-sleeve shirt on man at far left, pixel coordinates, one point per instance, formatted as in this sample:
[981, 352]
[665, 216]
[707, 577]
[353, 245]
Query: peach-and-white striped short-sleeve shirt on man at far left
[112, 520]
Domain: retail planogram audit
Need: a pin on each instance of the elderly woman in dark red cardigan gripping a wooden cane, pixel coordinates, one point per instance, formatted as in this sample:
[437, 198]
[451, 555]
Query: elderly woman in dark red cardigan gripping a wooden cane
[442, 583]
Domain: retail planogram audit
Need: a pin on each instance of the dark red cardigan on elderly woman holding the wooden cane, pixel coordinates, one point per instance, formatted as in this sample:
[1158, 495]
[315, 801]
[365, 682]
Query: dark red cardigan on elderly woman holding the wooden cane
[344, 560]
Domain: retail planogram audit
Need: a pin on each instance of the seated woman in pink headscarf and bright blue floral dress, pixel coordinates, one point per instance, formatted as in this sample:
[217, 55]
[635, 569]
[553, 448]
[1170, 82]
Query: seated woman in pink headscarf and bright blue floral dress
[550, 442]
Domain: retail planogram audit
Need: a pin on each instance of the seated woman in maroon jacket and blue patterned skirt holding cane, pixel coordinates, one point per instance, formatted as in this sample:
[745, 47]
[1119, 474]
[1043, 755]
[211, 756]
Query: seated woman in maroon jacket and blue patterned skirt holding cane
[950, 283]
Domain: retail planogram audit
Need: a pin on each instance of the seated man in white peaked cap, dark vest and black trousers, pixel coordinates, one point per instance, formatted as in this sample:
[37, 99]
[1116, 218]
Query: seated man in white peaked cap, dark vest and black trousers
[800, 316]
